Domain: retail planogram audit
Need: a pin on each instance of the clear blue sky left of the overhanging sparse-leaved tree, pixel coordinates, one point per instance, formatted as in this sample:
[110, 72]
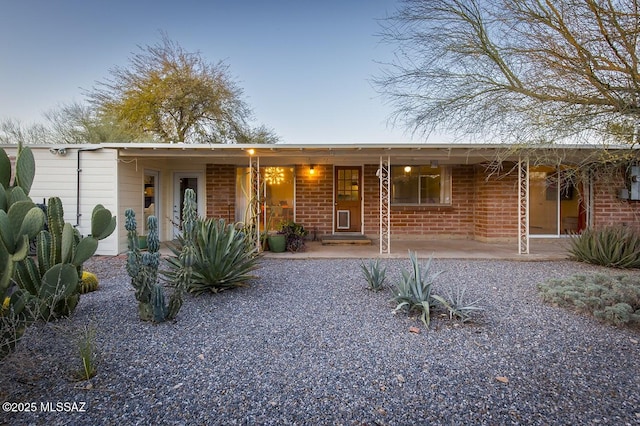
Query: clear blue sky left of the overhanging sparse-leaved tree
[306, 66]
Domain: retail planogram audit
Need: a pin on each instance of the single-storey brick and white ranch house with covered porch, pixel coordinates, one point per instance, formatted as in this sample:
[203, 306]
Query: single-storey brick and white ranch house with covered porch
[489, 193]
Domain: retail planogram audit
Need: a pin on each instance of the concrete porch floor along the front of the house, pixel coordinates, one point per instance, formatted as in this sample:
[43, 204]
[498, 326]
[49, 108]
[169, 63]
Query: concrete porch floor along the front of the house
[539, 249]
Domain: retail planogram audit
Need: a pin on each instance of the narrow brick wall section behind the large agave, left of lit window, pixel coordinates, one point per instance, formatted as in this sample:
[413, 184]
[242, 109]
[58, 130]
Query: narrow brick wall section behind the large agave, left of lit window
[221, 191]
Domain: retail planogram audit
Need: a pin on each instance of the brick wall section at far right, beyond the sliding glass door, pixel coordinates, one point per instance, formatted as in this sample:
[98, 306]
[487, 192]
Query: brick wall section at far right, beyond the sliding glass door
[608, 209]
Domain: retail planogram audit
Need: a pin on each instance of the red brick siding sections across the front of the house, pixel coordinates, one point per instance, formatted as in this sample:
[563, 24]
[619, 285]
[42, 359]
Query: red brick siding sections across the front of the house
[482, 208]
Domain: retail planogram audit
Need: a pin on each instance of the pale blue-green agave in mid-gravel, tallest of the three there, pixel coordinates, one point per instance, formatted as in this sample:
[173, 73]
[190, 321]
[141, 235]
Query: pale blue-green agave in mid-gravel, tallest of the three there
[413, 291]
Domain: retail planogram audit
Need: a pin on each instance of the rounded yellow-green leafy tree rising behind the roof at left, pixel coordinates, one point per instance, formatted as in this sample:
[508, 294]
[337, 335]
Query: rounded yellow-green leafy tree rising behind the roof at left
[169, 94]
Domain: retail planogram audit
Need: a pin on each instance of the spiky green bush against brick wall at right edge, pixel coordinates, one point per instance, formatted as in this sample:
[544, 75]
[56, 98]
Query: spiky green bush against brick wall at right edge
[616, 247]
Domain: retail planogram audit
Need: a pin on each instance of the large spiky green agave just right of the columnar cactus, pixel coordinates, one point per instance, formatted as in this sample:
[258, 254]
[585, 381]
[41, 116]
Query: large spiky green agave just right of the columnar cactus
[225, 257]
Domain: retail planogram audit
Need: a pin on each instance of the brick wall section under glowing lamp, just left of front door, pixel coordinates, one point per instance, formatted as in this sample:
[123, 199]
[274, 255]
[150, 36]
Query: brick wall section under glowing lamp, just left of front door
[314, 199]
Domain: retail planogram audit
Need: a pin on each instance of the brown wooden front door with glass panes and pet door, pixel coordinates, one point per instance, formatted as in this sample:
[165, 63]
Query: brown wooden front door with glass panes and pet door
[348, 199]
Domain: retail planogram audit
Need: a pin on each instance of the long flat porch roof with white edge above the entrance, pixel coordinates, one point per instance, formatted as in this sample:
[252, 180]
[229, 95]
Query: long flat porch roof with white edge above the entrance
[367, 153]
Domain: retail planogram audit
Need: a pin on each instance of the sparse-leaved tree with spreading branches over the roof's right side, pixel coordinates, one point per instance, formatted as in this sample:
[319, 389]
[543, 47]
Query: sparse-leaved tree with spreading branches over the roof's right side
[559, 69]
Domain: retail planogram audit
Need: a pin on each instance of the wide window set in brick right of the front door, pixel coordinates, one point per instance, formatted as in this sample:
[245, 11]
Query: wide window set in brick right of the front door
[422, 185]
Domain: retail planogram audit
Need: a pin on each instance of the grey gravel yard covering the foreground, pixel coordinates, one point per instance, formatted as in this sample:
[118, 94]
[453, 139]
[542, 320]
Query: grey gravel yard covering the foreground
[307, 343]
